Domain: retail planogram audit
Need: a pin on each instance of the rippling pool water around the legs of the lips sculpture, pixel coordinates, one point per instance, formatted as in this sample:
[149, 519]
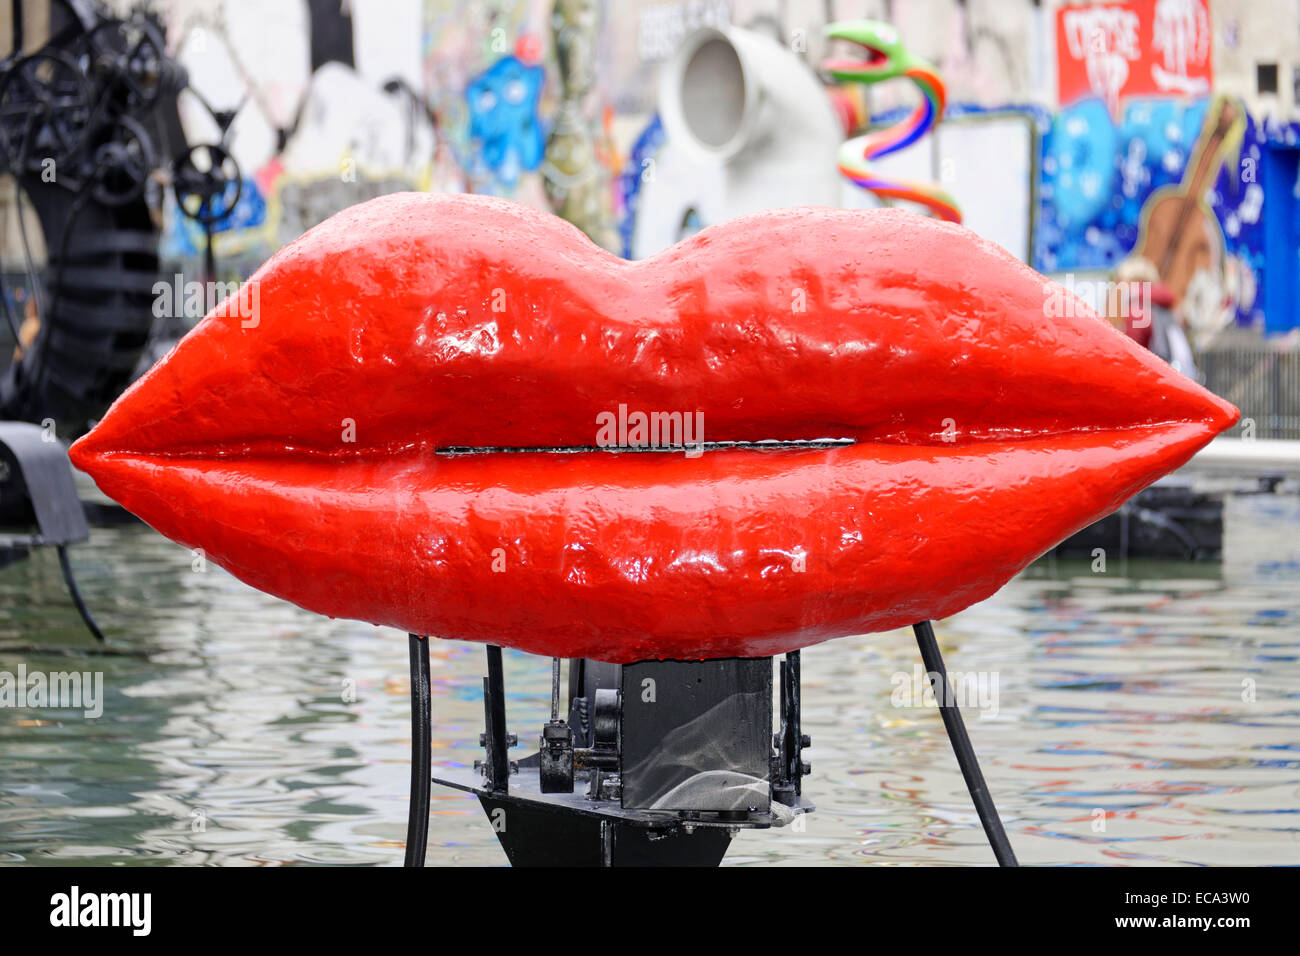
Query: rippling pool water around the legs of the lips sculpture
[1150, 715]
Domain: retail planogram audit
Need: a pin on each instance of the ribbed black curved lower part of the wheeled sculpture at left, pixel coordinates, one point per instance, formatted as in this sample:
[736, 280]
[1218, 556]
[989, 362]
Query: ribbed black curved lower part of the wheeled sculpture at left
[99, 310]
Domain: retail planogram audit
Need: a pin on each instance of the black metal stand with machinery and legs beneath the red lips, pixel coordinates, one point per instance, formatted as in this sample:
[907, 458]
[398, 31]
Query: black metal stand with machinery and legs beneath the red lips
[678, 758]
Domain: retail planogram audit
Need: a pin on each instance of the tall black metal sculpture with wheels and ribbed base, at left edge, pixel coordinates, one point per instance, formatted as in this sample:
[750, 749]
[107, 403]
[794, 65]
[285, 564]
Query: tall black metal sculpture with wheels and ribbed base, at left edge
[80, 124]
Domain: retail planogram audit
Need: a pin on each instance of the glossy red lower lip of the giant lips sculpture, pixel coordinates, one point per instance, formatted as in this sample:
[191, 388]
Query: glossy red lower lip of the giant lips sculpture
[582, 550]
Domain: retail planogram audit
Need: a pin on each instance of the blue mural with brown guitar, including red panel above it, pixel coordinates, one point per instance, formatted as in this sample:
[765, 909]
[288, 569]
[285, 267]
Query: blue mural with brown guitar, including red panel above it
[1142, 159]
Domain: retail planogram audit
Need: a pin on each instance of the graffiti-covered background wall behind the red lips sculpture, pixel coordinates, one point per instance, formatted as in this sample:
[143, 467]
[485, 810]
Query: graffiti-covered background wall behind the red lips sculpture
[1072, 128]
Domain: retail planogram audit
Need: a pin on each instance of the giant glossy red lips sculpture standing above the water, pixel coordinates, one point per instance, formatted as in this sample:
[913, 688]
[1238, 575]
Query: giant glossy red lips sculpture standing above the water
[404, 417]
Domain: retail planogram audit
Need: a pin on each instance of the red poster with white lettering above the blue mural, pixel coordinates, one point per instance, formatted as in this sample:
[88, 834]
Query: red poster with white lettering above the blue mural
[1134, 49]
